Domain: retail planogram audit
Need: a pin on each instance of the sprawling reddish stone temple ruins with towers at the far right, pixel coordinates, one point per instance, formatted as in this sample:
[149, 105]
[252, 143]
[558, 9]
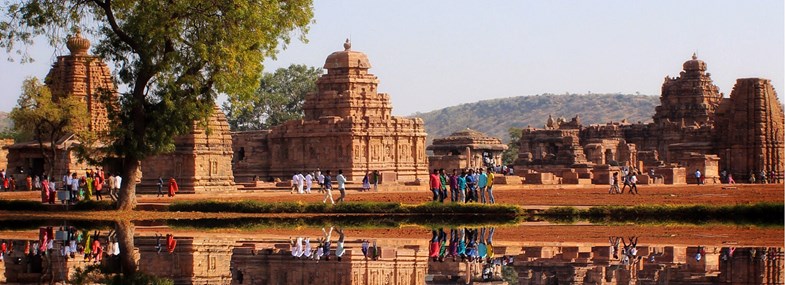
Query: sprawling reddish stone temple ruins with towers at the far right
[694, 127]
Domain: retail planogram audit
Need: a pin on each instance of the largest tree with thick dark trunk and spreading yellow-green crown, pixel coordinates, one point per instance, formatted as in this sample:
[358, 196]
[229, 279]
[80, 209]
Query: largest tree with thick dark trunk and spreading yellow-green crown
[173, 57]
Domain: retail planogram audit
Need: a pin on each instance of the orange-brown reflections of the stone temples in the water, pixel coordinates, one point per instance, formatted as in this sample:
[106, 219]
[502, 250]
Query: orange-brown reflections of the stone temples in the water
[211, 259]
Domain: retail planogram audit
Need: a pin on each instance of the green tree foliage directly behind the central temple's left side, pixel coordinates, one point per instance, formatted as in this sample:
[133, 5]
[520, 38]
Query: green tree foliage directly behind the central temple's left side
[278, 99]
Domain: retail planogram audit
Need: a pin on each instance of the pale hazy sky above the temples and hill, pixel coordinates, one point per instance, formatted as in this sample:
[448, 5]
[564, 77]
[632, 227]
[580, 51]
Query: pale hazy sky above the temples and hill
[434, 54]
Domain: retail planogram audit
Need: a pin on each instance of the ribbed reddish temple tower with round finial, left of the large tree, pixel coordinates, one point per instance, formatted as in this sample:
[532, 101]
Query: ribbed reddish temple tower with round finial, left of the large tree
[84, 76]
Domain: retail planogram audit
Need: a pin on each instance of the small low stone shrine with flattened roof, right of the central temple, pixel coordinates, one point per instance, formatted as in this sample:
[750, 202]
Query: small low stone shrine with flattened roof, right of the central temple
[466, 149]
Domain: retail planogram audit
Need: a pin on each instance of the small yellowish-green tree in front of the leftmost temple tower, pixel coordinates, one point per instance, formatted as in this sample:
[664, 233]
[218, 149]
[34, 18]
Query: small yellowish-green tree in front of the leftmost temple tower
[47, 120]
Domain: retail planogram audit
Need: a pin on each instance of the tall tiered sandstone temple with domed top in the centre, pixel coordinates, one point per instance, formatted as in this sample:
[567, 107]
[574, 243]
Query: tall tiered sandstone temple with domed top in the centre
[347, 126]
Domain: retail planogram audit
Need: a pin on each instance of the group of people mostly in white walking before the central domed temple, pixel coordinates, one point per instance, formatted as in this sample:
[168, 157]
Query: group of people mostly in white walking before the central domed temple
[303, 183]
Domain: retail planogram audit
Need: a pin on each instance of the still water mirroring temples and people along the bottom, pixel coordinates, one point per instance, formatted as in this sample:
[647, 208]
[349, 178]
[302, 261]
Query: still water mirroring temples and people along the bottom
[204, 253]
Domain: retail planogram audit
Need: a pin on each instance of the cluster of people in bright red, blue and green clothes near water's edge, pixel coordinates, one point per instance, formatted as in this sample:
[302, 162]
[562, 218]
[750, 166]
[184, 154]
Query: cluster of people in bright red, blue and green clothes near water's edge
[469, 186]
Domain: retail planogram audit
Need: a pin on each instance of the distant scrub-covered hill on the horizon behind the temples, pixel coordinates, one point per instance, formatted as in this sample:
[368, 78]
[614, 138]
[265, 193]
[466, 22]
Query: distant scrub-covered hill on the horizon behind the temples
[495, 117]
